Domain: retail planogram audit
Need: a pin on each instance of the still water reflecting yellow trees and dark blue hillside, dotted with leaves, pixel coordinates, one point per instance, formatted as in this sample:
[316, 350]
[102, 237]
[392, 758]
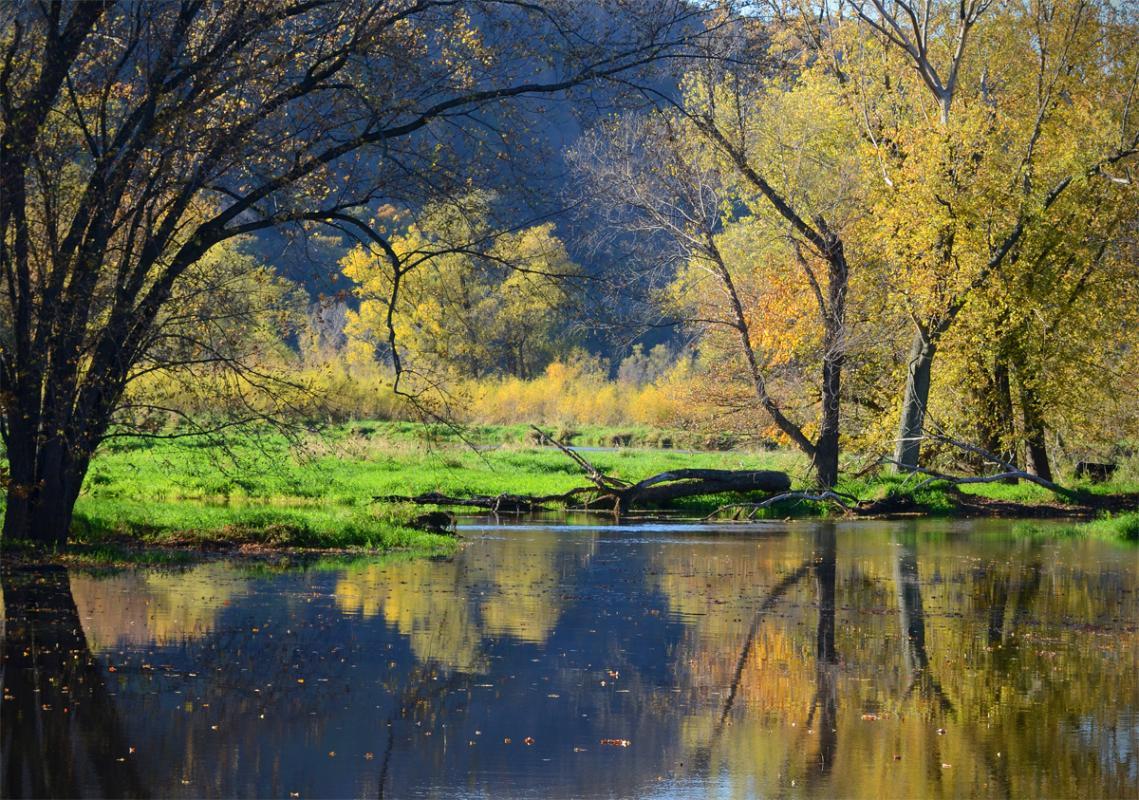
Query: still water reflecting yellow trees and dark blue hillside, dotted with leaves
[864, 659]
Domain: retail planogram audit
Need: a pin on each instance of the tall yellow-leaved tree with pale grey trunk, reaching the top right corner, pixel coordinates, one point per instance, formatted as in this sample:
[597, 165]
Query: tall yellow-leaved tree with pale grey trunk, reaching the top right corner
[1033, 103]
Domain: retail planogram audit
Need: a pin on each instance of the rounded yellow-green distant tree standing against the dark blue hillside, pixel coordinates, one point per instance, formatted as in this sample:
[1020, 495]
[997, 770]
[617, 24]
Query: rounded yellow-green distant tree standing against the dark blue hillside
[473, 301]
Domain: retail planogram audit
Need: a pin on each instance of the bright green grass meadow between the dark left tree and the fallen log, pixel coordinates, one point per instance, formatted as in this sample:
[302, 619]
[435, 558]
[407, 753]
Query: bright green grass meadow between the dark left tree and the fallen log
[269, 493]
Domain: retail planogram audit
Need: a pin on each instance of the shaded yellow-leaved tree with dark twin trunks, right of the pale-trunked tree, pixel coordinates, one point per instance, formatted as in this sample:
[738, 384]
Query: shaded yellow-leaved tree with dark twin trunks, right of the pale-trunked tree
[1060, 326]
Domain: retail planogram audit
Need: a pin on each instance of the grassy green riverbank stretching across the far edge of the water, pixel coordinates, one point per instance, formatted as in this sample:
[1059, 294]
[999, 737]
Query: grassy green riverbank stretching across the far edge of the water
[176, 499]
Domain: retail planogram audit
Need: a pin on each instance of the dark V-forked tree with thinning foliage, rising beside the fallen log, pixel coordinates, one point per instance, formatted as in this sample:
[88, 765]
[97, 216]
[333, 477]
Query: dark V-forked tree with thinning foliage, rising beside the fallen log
[744, 242]
